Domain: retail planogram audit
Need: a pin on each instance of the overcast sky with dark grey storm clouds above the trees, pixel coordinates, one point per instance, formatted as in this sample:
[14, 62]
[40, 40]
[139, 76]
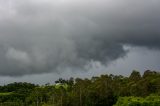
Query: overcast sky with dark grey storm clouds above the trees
[42, 40]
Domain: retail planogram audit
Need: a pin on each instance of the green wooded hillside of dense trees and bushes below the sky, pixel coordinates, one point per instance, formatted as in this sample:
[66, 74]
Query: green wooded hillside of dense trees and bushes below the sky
[105, 90]
